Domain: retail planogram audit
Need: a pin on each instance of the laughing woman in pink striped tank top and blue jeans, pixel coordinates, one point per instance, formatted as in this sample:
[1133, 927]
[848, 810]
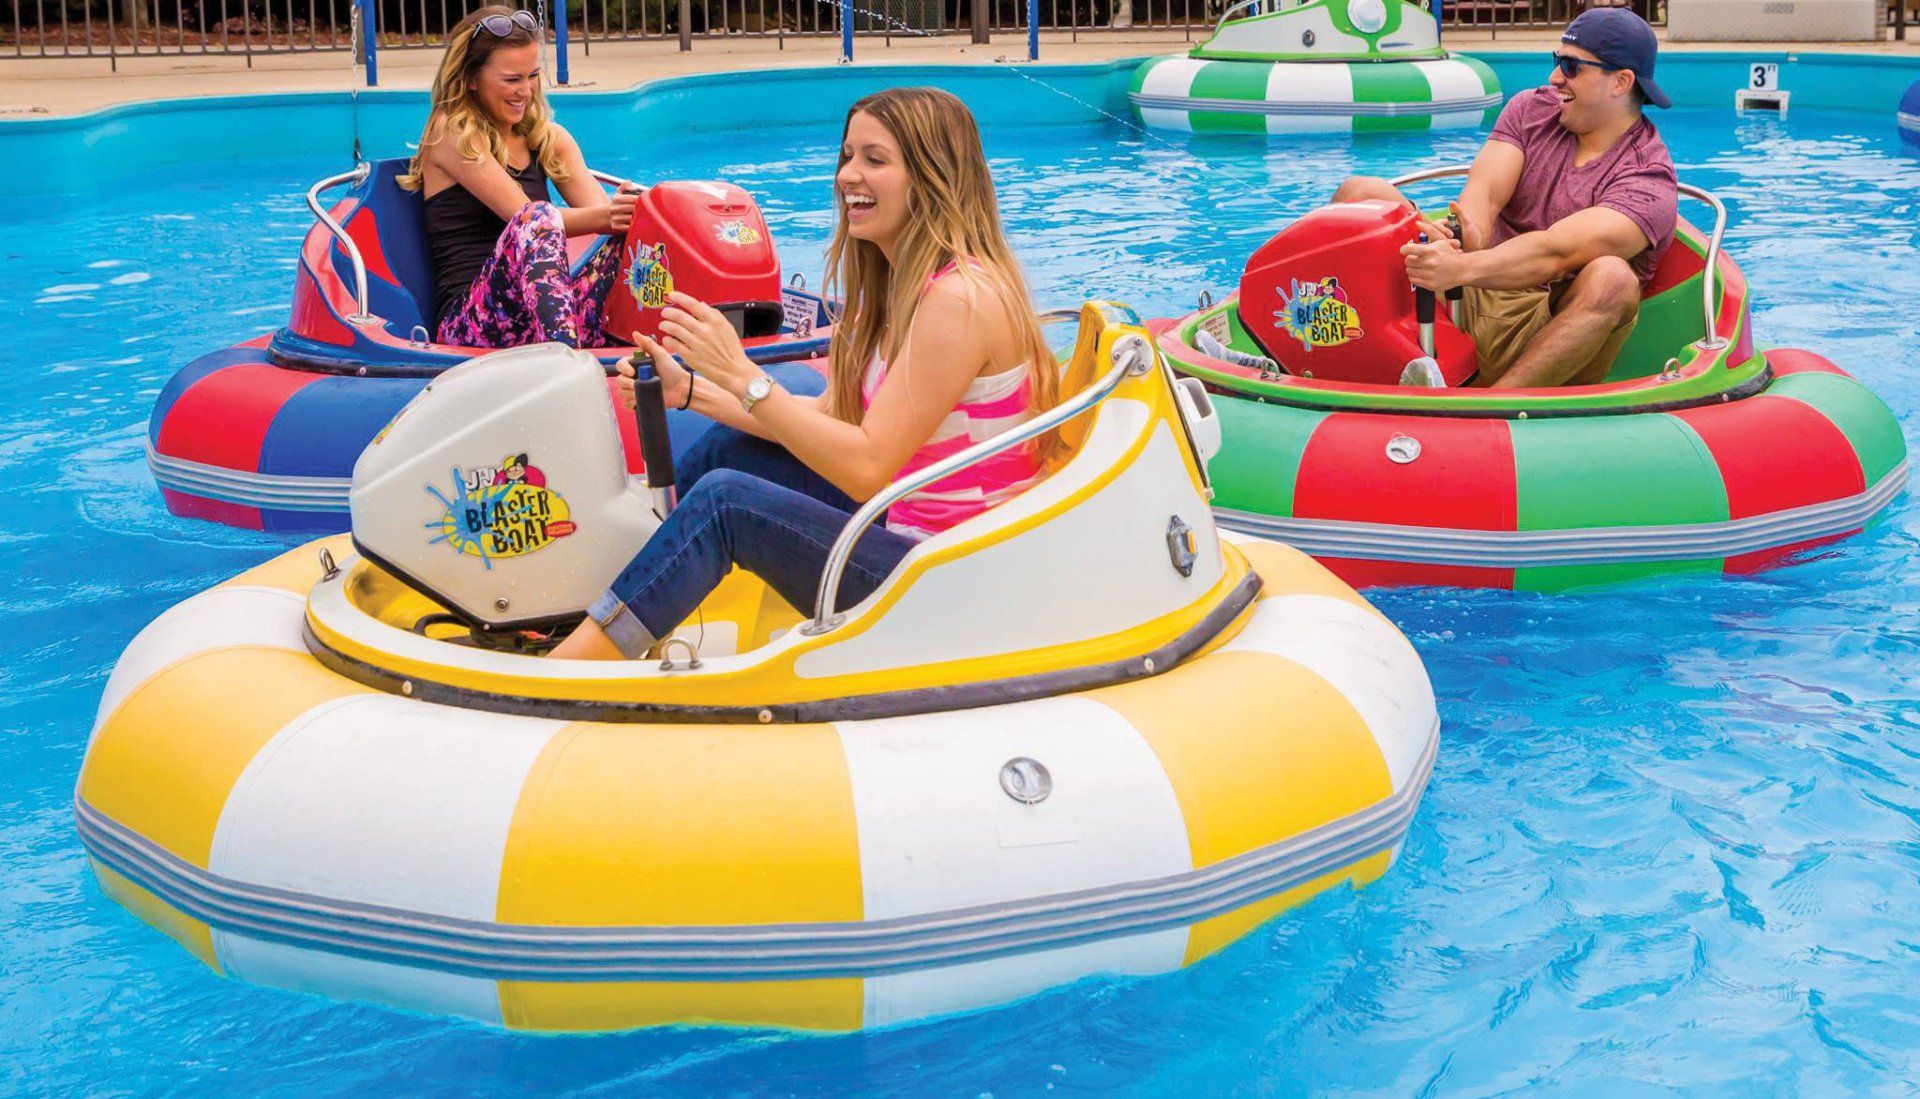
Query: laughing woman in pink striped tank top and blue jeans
[936, 351]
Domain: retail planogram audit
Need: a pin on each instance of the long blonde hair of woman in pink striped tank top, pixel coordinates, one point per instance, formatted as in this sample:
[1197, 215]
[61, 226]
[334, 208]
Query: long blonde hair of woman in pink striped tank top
[951, 216]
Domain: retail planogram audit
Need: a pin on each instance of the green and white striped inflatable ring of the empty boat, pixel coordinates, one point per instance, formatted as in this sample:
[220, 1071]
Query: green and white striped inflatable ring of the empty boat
[1314, 97]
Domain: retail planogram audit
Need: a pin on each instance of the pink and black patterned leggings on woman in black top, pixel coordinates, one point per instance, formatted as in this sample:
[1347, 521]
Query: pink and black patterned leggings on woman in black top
[527, 295]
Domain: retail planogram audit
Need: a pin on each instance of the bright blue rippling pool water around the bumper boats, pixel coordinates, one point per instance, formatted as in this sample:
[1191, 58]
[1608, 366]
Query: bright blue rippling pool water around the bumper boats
[1673, 837]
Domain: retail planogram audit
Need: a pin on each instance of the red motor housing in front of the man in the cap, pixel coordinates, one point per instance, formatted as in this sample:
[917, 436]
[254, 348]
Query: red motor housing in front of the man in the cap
[1330, 299]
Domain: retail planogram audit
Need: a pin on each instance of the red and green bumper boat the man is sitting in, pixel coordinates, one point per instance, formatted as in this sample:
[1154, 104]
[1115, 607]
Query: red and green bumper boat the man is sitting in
[1696, 454]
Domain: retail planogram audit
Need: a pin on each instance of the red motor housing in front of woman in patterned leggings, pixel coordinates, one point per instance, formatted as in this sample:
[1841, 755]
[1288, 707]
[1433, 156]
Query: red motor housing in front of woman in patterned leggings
[702, 239]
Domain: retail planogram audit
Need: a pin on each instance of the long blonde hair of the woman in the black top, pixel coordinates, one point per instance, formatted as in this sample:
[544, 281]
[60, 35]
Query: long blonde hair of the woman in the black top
[458, 114]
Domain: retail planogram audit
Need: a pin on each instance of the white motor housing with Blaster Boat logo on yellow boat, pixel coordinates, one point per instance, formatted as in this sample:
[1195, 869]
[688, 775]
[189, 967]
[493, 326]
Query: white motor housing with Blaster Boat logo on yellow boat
[502, 491]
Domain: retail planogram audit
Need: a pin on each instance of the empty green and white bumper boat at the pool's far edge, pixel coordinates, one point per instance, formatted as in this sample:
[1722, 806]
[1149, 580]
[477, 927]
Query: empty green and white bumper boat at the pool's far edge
[1318, 66]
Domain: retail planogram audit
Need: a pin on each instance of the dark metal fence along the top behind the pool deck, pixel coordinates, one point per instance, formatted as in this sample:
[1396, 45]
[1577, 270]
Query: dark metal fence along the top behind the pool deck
[145, 28]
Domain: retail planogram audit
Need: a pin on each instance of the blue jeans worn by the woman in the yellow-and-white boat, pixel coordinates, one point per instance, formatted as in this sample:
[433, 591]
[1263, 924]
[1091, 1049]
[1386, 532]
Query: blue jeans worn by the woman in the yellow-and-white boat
[748, 502]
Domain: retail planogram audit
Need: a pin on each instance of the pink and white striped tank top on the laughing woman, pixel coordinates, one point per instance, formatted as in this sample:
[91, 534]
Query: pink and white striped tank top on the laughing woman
[990, 406]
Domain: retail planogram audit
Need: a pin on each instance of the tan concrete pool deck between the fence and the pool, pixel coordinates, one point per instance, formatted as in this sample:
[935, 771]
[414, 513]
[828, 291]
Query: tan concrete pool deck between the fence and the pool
[41, 87]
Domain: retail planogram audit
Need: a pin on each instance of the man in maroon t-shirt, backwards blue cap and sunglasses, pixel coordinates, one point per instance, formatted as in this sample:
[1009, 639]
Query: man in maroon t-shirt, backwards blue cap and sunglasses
[1564, 218]
